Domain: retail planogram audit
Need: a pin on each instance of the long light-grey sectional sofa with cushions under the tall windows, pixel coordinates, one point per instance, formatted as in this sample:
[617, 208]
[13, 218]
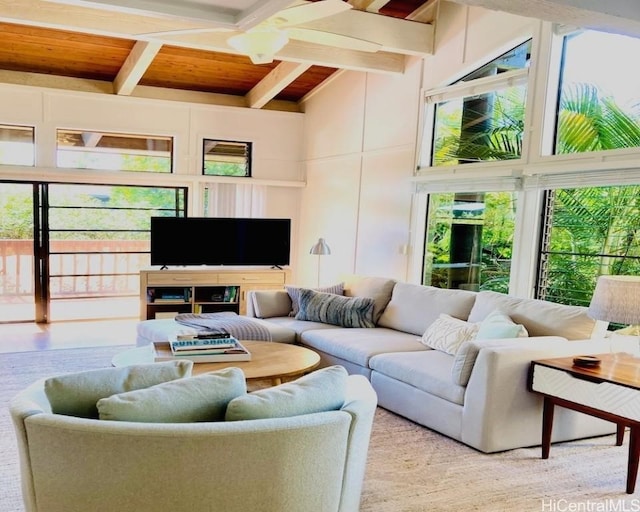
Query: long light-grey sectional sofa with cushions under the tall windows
[425, 353]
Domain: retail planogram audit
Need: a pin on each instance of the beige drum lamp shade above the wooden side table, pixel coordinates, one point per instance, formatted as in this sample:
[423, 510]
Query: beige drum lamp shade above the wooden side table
[616, 299]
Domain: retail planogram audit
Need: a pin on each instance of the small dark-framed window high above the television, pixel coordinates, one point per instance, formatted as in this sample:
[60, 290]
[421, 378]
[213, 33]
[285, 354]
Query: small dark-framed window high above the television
[226, 158]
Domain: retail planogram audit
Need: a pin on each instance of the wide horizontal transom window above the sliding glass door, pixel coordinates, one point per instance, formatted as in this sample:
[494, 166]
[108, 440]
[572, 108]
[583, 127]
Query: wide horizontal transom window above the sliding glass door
[111, 151]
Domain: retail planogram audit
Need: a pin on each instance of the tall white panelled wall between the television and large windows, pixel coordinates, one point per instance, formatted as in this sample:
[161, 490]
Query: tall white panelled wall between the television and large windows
[360, 139]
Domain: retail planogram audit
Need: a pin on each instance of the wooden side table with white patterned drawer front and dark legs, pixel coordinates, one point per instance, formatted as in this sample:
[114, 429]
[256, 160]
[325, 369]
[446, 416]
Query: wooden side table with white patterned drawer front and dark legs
[610, 391]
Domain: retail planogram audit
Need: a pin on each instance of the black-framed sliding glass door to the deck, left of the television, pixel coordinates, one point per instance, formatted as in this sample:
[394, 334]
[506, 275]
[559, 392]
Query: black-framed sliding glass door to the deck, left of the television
[73, 251]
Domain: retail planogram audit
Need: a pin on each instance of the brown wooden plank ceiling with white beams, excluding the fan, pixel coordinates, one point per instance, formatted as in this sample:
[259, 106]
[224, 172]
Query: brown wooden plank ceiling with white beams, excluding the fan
[65, 46]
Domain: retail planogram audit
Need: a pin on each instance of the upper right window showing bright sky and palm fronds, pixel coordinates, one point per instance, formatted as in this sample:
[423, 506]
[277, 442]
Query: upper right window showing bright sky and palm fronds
[599, 100]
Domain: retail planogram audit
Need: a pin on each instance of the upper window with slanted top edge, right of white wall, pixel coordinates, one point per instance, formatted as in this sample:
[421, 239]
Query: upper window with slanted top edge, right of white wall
[482, 117]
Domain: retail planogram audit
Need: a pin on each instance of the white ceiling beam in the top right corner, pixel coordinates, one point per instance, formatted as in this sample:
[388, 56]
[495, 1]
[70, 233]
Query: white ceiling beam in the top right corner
[616, 16]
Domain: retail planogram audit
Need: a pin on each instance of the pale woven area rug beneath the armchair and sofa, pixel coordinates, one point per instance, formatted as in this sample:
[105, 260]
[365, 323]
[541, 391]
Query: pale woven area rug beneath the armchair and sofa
[410, 468]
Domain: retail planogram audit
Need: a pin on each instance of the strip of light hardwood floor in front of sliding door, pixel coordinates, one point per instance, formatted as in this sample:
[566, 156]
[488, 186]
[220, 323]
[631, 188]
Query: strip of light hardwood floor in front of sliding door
[22, 337]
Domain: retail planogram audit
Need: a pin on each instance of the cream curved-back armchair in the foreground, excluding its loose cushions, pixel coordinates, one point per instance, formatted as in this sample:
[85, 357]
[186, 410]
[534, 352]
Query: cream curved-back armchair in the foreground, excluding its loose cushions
[301, 463]
